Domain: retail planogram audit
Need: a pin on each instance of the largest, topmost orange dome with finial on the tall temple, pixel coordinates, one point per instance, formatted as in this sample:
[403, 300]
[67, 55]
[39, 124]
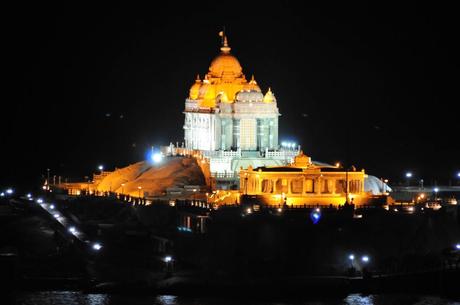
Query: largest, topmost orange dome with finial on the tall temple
[225, 64]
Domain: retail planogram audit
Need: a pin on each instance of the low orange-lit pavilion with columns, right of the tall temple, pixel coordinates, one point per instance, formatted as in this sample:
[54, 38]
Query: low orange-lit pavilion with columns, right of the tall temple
[305, 183]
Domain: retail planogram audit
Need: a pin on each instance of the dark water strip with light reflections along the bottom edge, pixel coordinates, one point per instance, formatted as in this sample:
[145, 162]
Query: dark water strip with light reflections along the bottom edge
[79, 298]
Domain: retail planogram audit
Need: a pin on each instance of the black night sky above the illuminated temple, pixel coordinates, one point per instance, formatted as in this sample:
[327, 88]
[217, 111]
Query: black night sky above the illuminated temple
[376, 87]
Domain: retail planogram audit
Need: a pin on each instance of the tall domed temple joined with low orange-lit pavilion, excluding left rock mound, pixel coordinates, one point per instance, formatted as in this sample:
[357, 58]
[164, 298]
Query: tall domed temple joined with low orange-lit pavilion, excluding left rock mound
[230, 122]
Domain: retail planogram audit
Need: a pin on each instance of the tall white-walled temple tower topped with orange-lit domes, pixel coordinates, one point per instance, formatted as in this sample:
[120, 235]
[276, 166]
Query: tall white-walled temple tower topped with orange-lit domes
[231, 121]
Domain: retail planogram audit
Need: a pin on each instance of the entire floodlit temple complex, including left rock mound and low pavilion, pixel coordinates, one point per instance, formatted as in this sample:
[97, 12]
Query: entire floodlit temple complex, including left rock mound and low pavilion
[231, 144]
